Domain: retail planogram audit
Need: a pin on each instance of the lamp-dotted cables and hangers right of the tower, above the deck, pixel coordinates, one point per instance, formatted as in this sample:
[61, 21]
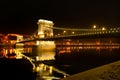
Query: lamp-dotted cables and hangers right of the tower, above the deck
[93, 30]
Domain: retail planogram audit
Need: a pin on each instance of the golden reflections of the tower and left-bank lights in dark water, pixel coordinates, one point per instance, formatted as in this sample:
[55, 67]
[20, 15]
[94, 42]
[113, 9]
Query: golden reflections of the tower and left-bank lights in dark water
[44, 72]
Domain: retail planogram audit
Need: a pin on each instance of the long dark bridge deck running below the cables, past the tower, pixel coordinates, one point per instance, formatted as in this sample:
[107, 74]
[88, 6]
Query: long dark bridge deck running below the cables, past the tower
[93, 36]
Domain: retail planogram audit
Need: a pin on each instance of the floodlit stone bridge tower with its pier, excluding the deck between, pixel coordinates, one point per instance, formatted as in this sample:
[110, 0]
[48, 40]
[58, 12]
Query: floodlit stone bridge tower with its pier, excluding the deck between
[45, 29]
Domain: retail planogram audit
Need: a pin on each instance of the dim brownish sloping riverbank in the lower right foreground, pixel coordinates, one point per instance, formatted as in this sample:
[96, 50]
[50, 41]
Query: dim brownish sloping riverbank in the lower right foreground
[106, 72]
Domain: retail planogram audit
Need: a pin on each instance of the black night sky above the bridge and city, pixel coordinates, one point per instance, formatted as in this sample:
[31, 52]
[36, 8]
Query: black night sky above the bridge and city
[21, 16]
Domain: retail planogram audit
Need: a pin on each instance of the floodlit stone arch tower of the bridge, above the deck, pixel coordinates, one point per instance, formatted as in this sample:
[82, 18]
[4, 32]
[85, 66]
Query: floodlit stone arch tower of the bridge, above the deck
[45, 28]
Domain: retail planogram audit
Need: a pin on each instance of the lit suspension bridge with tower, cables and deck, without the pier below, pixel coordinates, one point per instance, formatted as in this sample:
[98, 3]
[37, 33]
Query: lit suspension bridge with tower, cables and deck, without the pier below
[46, 32]
